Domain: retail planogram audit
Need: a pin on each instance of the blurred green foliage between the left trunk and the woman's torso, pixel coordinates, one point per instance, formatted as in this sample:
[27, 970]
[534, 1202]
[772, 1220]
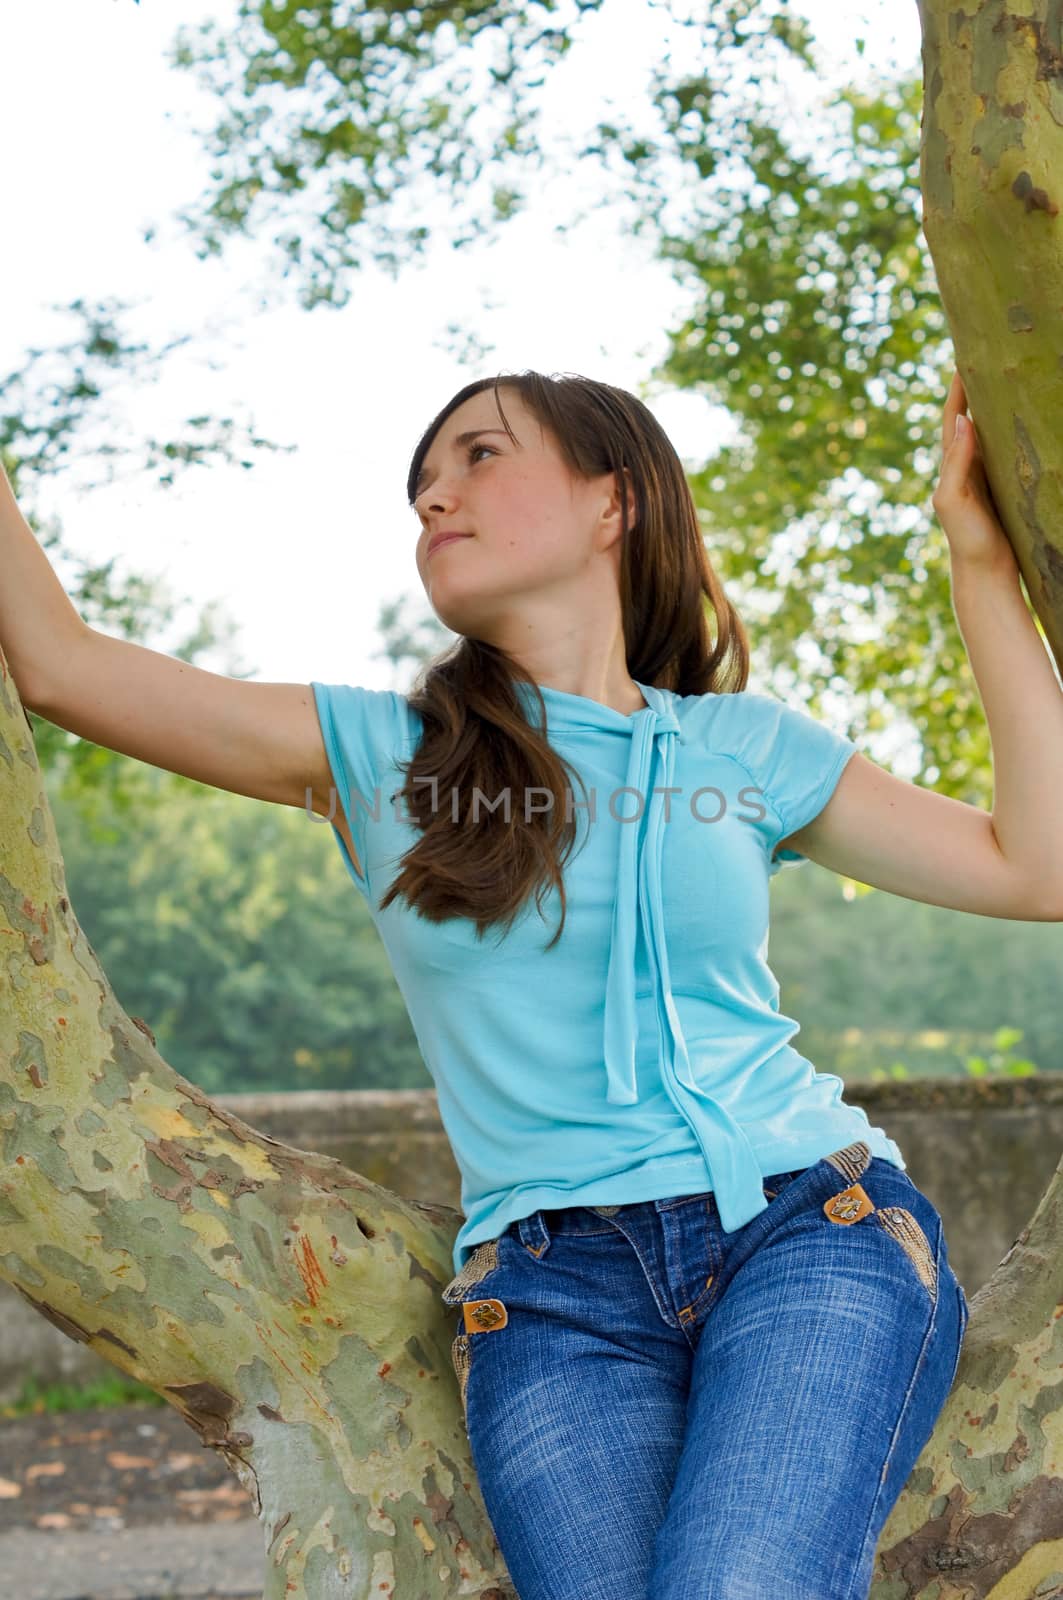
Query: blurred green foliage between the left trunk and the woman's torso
[233, 930]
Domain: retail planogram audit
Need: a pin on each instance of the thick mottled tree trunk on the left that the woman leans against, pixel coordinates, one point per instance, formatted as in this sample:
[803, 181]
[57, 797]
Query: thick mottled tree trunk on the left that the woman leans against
[286, 1306]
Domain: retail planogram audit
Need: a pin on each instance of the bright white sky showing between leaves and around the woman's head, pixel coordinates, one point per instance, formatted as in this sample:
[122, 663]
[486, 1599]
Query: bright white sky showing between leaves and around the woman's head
[303, 550]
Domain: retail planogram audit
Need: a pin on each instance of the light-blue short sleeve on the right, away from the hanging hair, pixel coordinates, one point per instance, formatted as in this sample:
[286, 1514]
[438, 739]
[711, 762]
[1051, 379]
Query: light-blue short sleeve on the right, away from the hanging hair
[796, 762]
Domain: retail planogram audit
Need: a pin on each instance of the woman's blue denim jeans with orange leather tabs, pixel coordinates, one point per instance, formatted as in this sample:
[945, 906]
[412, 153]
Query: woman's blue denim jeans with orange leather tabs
[660, 1410]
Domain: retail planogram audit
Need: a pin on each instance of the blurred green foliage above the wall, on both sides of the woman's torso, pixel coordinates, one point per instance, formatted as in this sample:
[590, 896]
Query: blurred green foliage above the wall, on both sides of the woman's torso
[233, 929]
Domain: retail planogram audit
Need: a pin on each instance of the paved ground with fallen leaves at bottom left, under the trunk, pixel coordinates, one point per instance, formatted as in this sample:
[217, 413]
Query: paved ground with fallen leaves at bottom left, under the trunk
[122, 1505]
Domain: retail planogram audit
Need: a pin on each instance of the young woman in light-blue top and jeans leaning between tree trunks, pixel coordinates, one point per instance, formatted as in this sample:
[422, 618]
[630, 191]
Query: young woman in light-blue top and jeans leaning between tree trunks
[705, 1322]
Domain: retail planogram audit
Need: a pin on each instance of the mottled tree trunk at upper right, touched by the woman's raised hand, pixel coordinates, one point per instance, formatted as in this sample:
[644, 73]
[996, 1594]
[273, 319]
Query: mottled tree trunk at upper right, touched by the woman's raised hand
[993, 193]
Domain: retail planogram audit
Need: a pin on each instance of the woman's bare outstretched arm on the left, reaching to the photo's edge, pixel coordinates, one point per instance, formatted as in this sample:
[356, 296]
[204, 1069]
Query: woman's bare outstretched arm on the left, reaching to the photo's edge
[259, 740]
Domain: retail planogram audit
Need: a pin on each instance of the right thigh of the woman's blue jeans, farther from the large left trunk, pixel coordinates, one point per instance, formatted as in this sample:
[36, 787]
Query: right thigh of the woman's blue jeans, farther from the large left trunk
[817, 1382]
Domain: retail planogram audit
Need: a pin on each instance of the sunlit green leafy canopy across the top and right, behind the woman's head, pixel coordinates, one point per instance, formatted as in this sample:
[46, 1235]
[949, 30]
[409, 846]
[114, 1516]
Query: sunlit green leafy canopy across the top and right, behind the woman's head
[816, 319]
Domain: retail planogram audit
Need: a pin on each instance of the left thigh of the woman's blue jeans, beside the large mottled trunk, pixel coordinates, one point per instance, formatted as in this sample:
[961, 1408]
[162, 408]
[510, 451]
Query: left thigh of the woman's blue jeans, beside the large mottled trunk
[576, 1406]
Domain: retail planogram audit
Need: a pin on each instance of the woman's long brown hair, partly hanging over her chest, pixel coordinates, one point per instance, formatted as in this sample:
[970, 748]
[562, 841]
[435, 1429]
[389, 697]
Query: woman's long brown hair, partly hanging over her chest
[476, 734]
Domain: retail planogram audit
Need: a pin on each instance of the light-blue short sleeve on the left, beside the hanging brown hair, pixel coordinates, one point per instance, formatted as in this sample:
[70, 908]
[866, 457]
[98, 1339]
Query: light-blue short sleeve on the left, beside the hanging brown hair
[364, 730]
